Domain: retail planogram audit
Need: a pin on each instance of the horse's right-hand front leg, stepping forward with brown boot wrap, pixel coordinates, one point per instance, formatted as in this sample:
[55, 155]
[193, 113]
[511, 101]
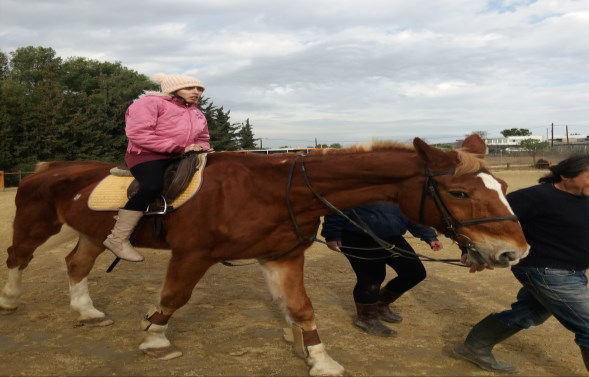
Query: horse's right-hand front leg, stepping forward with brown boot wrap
[285, 280]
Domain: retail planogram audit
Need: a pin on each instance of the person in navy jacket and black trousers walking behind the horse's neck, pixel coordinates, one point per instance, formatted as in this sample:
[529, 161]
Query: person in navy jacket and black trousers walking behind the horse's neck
[387, 222]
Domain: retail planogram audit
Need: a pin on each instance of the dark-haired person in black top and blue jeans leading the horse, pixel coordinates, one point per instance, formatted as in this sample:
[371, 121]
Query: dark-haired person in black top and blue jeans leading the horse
[555, 219]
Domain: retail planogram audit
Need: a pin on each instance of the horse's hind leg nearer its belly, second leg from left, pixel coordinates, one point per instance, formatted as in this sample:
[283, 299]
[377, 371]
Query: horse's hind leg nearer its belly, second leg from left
[79, 263]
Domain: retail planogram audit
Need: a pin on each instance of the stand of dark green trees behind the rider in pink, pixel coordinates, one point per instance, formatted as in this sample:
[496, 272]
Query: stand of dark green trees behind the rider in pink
[75, 109]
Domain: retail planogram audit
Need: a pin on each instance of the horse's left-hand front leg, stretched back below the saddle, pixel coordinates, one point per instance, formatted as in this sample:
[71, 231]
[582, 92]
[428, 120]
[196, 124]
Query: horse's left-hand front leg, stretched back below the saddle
[184, 271]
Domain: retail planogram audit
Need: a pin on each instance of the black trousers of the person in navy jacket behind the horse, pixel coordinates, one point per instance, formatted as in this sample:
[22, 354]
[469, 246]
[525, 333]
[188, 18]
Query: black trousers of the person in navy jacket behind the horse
[370, 274]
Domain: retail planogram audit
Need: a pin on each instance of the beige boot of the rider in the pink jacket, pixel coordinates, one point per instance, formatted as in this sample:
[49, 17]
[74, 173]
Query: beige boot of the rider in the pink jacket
[118, 239]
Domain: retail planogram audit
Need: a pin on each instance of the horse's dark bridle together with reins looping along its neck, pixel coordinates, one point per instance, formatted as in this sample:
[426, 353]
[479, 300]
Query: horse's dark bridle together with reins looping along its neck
[430, 188]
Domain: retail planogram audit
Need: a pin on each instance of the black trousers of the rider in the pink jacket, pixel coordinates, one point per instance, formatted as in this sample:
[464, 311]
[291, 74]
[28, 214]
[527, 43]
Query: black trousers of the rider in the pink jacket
[150, 176]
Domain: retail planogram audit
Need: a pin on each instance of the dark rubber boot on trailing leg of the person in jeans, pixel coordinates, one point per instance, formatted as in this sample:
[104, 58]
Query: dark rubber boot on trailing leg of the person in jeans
[480, 342]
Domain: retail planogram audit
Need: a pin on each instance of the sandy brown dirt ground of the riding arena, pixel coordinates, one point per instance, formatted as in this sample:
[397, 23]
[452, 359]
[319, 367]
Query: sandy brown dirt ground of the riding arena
[231, 327]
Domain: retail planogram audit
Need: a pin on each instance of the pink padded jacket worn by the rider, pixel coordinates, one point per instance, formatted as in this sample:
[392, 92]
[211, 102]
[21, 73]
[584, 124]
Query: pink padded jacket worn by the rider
[164, 124]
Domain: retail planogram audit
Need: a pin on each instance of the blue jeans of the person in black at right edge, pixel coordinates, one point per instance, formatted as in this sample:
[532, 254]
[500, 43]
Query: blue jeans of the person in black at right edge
[548, 291]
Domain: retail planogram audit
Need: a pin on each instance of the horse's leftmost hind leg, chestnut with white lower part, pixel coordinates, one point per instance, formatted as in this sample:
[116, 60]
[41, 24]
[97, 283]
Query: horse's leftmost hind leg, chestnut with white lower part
[33, 225]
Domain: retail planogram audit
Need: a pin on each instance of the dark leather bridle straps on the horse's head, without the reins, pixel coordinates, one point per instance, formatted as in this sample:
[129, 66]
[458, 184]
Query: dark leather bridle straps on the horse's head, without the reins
[449, 222]
